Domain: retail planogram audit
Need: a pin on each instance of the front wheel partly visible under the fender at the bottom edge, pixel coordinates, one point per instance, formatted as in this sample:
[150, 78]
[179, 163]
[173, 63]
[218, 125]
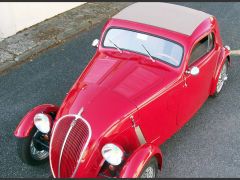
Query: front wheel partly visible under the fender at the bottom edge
[150, 170]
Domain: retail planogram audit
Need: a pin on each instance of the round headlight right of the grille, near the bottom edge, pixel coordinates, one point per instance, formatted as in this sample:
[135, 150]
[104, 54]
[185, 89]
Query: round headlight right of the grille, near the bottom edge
[112, 153]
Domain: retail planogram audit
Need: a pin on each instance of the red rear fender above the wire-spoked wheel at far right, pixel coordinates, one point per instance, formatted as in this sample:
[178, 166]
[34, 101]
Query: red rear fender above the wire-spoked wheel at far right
[224, 56]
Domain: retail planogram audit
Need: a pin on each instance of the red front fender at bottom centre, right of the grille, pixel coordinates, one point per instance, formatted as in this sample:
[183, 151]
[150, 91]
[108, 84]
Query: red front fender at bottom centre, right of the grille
[137, 161]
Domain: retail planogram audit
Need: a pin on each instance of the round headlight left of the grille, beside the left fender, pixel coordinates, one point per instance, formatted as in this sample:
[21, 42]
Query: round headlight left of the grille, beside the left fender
[42, 122]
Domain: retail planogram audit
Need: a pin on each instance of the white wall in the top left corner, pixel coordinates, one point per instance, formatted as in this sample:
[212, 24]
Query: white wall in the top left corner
[15, 16]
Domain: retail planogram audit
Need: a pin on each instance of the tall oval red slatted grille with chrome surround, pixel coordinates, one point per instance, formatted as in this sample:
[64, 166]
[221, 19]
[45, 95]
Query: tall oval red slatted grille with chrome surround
[72, 149]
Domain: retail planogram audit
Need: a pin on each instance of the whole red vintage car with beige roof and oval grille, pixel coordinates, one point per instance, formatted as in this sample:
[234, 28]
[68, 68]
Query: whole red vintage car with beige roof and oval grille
[155, 65]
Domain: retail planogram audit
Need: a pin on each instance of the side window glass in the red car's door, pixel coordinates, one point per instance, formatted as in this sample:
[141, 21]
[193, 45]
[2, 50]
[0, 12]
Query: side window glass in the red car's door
[204, 46]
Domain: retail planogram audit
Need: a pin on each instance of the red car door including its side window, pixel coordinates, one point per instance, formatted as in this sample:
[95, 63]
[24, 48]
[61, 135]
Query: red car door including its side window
[196, 88]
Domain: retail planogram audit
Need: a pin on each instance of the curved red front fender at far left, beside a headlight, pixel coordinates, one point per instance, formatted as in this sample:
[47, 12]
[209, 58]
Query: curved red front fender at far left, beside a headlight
[25, 126]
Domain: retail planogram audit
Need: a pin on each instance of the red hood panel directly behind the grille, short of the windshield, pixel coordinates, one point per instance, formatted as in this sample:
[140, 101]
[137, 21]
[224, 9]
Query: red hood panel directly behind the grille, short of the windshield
[101, 107]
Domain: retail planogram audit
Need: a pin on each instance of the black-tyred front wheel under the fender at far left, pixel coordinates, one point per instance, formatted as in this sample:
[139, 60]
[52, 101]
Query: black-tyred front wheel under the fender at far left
[31, 152]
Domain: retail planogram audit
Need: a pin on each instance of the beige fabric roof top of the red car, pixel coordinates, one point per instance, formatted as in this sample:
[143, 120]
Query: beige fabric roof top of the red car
[164, 15]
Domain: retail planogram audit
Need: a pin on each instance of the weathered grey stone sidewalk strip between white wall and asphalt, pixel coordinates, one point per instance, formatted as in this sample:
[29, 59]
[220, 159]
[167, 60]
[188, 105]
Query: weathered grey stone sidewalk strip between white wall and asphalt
[36, 39]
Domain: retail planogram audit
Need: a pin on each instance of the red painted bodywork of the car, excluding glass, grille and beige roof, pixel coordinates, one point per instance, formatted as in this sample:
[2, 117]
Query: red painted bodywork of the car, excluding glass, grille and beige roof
[115, 86]
